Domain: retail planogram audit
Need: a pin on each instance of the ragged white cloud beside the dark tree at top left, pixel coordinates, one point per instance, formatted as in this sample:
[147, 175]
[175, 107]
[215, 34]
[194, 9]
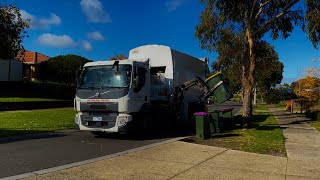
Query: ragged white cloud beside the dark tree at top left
[42, 23]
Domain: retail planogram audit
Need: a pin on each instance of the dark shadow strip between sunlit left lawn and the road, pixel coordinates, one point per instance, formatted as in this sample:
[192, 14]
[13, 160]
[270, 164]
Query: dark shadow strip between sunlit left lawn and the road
[8, 136]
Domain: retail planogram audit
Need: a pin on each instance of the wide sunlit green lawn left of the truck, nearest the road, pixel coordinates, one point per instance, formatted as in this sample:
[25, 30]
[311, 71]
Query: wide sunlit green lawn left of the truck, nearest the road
[35, 121]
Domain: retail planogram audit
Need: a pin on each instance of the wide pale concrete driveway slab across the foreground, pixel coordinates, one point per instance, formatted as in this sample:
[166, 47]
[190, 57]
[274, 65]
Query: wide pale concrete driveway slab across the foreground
[181, 160]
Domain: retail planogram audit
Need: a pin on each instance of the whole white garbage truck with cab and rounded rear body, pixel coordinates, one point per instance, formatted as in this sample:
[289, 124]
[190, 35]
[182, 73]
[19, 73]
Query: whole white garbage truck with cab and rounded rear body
[158, 69]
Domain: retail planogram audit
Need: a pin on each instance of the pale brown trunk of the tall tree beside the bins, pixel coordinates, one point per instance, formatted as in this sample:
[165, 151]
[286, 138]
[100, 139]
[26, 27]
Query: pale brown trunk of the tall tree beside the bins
[248, 78]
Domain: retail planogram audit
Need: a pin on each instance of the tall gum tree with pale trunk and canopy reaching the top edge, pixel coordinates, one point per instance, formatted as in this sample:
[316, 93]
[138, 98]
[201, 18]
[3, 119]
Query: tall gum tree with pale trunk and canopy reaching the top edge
[250, 20]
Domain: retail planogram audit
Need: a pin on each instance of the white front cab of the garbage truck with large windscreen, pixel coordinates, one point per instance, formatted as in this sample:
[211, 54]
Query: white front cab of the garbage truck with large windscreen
[109, 93]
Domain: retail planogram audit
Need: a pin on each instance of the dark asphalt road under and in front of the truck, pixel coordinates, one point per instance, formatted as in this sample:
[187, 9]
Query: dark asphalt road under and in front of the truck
[29, 153]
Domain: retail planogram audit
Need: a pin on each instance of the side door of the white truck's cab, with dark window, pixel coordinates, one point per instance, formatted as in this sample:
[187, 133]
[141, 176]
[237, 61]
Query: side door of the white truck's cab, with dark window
[141, 84]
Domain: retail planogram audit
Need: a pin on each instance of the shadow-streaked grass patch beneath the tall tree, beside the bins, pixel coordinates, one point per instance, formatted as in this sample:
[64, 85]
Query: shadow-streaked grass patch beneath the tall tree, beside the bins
[263, 136]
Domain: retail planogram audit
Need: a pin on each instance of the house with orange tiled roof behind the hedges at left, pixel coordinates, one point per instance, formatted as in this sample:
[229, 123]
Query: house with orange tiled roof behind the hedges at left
[31, 60]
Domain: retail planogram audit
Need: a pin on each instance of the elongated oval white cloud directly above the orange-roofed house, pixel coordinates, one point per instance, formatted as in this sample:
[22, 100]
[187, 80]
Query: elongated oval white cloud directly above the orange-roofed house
[52, 40]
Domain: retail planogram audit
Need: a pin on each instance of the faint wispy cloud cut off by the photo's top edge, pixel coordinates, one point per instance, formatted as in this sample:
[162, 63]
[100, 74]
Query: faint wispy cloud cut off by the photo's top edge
[94, 11]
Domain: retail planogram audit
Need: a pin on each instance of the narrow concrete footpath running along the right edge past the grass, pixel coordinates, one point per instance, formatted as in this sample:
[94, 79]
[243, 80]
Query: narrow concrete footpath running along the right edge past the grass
[302, 144]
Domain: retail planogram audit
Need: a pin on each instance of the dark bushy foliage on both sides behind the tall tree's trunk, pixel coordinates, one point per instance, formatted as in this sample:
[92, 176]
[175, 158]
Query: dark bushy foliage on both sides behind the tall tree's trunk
[230, 58]
